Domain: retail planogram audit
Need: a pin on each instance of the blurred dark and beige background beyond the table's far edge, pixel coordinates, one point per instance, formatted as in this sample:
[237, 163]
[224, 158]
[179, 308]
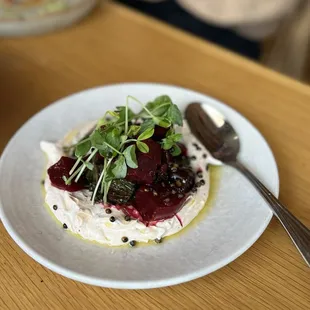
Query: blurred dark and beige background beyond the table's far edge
[273, 32]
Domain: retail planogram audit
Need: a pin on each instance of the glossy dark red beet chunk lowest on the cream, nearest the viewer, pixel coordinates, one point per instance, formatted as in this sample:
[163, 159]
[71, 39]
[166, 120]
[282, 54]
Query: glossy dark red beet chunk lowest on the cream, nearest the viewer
[157, 203]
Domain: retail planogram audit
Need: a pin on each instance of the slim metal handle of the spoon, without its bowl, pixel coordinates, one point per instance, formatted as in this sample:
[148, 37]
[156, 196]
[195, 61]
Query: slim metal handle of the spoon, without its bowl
[298, 232]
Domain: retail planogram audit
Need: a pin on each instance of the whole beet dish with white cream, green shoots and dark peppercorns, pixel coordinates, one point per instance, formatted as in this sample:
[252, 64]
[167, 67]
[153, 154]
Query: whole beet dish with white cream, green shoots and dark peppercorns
[128, 177]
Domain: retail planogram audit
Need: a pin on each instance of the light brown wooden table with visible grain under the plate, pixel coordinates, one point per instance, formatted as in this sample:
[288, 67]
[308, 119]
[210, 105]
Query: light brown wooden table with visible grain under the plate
[114, 45]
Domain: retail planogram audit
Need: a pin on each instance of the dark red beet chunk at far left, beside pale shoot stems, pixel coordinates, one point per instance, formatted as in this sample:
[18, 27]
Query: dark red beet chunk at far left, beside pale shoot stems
[62, 168]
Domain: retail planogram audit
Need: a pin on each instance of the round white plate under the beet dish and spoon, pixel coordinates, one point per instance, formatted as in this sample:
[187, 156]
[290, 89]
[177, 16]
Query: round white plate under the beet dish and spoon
[236, 219]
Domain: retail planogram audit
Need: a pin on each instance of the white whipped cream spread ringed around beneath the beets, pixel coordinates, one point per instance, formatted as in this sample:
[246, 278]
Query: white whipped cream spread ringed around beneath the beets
[93, 223]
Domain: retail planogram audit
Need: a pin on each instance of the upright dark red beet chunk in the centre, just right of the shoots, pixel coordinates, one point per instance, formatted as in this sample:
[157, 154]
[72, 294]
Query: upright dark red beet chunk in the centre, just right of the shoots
[148, 164]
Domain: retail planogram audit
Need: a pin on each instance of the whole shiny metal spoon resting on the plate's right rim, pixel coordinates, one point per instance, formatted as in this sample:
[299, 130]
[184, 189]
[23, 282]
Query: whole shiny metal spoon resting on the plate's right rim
[221, 140]
